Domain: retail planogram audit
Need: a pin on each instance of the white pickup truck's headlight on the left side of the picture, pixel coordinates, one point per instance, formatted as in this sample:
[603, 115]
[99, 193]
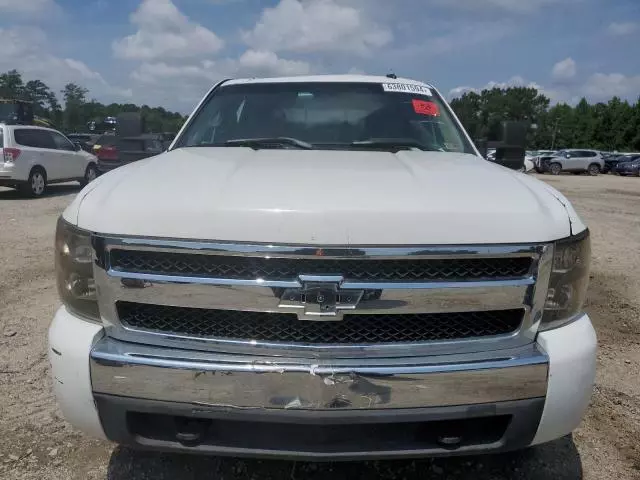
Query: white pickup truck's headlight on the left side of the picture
[74, 270]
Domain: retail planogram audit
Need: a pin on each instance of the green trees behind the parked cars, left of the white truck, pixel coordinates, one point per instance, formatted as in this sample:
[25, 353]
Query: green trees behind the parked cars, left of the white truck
[76, 110]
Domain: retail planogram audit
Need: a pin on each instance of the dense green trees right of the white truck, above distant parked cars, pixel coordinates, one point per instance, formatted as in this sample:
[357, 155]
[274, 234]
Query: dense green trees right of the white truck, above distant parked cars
[610, 126]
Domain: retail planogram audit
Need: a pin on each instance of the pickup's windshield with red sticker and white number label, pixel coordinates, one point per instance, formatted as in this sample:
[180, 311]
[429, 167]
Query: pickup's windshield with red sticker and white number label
[325, 116]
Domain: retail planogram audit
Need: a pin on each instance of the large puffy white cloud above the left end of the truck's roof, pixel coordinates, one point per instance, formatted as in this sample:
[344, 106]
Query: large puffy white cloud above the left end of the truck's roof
[178, 80]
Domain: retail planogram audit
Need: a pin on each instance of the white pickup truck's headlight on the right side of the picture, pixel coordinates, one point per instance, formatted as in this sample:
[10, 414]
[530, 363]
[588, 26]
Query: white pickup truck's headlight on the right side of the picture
[568, 282]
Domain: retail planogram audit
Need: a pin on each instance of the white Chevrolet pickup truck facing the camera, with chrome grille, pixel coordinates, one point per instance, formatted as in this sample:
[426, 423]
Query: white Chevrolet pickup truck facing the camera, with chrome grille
[322, 268]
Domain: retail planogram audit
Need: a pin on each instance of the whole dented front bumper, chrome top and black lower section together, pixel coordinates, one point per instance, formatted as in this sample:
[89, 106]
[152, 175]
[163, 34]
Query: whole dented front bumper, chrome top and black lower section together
[316, 409]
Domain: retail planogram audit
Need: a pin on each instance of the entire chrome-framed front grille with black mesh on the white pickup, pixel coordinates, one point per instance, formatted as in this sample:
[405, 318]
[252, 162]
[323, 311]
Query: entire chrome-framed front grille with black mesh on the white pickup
[252, 299]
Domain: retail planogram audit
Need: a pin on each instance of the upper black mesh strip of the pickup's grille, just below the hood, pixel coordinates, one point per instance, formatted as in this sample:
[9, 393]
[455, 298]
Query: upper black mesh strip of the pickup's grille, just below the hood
[370, 270]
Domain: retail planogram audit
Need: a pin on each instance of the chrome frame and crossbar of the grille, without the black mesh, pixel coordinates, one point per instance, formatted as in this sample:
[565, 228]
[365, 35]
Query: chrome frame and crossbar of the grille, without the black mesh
[525, 292]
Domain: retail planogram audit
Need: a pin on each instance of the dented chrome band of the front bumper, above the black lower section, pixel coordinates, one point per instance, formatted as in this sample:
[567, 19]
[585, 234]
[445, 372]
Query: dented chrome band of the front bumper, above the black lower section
[250, 382]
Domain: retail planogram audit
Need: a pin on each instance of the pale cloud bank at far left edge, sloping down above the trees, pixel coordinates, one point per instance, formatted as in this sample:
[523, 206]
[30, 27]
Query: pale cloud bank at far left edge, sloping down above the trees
[25, 49]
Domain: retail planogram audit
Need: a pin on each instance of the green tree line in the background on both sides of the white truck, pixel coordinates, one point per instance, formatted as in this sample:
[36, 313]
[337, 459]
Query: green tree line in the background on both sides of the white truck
[611, 126]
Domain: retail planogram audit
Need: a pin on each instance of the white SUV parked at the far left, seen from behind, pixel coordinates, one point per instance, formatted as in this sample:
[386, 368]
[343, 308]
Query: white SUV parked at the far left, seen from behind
[33, 157]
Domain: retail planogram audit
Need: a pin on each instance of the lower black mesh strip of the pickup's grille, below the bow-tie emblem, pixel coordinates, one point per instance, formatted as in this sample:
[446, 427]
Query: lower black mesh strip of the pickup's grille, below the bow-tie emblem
[283, 327]
